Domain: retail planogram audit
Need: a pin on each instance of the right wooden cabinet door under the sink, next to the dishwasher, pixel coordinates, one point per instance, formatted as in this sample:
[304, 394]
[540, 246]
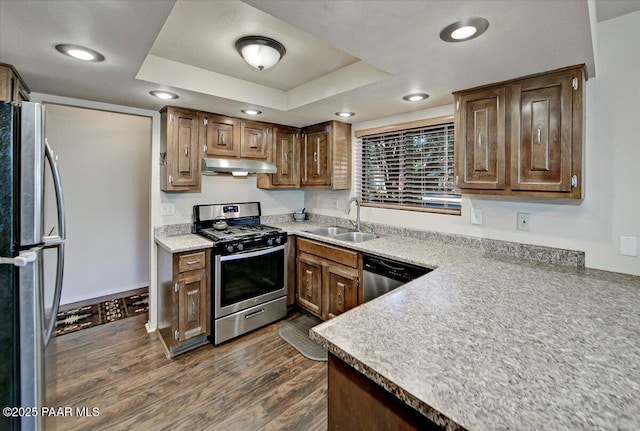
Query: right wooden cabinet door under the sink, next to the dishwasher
[342, 284]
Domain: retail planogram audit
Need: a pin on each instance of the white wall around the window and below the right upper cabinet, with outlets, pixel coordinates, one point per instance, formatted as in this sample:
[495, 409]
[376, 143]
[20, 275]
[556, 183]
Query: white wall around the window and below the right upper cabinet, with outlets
[612, 191]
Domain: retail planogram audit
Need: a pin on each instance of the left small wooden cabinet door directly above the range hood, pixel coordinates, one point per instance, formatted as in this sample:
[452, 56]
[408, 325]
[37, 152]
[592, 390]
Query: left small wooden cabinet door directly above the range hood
[218, 137]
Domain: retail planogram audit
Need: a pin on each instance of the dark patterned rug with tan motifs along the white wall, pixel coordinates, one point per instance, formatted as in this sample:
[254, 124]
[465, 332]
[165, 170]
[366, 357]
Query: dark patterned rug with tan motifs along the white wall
[98, 314]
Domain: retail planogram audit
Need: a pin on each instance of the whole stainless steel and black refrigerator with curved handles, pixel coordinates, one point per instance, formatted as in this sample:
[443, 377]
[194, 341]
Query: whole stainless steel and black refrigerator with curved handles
[28, 300]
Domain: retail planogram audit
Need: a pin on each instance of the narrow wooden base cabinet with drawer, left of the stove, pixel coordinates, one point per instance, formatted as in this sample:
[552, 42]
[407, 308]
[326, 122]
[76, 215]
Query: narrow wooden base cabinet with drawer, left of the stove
[183, 279]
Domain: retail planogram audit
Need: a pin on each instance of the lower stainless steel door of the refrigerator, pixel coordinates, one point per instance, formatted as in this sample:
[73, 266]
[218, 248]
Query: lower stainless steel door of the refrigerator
[32, 386]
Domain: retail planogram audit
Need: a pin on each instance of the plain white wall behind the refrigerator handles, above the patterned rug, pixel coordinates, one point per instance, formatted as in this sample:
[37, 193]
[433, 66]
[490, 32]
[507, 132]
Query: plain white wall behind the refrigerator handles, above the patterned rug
[103, 160]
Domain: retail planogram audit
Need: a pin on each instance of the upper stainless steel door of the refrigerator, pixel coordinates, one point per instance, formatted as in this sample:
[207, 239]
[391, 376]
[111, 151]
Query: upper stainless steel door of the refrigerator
[31, 174]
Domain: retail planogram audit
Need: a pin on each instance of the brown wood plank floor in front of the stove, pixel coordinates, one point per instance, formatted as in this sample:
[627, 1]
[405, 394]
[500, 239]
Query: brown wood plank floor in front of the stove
[255, 382]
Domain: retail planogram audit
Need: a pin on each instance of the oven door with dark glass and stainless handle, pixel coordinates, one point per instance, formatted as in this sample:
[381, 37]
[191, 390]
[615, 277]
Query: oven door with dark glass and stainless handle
[243, 280]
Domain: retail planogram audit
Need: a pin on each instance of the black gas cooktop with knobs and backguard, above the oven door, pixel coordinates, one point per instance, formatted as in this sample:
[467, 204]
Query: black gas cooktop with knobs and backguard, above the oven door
[244, 231]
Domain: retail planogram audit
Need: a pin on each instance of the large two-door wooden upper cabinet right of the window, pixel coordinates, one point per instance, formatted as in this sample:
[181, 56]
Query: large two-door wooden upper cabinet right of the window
[522, 137]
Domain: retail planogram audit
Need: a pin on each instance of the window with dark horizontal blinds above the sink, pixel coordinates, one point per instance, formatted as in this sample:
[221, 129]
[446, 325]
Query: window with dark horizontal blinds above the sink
[408, 168]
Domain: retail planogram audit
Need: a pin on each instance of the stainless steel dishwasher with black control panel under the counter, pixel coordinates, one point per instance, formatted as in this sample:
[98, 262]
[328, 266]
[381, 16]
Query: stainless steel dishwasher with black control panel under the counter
[381, 275]
